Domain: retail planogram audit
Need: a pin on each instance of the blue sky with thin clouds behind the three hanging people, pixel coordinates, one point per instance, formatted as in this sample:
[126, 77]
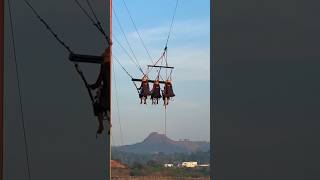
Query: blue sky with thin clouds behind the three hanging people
[188, 51]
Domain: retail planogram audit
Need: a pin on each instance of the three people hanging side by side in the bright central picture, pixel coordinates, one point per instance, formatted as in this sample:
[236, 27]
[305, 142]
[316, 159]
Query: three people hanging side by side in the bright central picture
[156, 93]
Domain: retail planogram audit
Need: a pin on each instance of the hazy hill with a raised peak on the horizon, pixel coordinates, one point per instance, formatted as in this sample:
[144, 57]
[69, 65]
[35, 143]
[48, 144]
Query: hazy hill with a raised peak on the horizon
[160, 143]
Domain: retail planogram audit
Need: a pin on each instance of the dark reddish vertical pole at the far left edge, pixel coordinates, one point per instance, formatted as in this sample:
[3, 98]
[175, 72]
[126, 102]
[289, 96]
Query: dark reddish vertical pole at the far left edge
[1, 84]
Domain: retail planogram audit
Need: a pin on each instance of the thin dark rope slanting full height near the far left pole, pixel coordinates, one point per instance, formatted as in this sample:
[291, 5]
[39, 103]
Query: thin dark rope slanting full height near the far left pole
[20, 96]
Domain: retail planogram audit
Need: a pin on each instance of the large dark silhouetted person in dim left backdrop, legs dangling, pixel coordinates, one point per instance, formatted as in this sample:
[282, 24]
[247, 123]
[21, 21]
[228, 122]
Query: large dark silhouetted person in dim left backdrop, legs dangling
[102, 104]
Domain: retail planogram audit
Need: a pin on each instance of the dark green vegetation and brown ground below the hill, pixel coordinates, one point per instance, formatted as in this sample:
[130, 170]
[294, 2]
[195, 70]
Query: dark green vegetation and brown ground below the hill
[153, 164]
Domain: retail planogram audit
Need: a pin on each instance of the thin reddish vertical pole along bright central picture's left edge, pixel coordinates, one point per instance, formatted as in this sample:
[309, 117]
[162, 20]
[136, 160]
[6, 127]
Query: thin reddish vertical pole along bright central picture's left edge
[110, 87]
